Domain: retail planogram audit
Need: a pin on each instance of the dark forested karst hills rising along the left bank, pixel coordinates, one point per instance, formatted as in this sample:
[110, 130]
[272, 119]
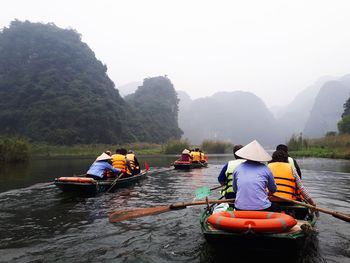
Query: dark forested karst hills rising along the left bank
[54, 90]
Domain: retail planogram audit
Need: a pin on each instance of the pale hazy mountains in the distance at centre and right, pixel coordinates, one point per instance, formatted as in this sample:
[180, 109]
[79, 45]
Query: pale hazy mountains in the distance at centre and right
[241, 116]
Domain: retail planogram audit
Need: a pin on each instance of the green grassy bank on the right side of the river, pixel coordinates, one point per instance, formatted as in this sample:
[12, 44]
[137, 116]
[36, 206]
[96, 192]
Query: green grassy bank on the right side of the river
[332, 146]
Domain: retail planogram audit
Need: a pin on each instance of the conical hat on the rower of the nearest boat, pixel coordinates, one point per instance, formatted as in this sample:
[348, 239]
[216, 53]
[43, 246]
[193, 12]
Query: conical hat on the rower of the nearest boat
[254, 152]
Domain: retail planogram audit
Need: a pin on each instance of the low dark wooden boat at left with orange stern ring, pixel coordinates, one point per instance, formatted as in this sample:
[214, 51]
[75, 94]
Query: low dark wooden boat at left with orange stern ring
[88, 186]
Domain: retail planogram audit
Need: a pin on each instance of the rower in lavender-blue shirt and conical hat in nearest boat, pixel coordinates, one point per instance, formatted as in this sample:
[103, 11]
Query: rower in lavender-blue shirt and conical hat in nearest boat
[251, 178]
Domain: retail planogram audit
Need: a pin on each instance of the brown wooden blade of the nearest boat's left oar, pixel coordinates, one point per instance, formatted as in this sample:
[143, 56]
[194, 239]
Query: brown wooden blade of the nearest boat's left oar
[122, 215]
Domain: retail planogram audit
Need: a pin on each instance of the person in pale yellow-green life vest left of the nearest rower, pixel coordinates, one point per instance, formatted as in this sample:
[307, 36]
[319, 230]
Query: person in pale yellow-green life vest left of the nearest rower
[225, 176]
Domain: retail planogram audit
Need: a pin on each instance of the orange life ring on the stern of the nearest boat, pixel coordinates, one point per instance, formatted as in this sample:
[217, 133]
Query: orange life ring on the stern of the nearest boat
[253, 221]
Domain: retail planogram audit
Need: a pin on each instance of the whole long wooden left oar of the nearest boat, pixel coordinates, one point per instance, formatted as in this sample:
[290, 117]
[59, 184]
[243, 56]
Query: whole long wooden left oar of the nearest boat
[121, 215]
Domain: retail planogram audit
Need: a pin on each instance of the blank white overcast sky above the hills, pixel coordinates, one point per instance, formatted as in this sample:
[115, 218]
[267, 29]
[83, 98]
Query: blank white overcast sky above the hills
[273, 48]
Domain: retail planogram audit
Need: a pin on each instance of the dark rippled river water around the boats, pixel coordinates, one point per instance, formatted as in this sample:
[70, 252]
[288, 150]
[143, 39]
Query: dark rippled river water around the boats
[39, 223]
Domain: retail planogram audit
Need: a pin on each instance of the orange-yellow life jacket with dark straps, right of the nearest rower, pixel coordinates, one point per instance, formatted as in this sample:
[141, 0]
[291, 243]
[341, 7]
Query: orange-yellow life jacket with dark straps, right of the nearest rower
[285, 181]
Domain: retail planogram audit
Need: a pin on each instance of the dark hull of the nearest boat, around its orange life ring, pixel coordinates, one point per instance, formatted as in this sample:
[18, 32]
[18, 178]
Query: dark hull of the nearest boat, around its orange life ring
[291, 238]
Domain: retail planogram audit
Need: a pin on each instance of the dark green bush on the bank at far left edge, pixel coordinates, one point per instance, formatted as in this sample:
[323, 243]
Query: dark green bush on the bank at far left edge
[13, 149]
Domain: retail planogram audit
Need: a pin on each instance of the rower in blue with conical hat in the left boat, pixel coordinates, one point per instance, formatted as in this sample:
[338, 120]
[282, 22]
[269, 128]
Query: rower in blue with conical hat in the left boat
[100, 168]
